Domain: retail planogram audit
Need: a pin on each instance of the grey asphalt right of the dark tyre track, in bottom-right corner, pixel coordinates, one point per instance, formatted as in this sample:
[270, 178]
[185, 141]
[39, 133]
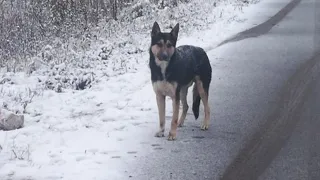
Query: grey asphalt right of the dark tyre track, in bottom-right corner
[299, 158]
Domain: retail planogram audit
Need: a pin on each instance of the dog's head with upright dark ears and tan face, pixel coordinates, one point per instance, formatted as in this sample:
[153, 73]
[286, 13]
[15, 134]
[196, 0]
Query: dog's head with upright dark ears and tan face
[163, 44]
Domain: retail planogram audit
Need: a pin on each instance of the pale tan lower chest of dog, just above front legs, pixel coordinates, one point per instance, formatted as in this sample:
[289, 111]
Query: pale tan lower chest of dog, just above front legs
[165, 88]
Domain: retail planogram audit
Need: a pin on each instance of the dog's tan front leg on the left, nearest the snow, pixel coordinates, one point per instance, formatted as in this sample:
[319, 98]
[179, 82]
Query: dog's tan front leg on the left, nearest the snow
[161, 110]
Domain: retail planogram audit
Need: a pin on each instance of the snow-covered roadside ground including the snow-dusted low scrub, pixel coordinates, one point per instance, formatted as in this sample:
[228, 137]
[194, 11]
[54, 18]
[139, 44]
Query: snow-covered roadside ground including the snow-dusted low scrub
[95, 132]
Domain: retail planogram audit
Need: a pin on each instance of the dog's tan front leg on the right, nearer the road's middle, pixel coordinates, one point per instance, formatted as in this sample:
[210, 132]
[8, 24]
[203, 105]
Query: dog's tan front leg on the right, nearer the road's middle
[175, 116]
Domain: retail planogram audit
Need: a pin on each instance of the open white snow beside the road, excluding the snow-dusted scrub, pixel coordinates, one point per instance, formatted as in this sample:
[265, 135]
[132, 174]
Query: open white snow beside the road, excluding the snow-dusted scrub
[94, 133]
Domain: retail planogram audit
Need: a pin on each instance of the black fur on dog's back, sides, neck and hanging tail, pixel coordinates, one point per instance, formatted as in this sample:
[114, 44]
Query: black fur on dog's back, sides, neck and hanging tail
[186, 63]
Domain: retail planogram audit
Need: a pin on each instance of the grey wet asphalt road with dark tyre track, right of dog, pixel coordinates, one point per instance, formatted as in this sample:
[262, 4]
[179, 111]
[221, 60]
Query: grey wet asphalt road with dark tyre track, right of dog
[264, 99]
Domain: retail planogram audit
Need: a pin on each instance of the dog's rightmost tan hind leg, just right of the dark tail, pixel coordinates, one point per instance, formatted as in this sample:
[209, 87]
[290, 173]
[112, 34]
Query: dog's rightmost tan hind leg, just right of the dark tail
[204, 94]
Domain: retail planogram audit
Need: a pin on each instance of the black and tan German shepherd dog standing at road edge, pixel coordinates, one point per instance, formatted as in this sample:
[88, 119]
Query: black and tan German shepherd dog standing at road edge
[173, 71]
